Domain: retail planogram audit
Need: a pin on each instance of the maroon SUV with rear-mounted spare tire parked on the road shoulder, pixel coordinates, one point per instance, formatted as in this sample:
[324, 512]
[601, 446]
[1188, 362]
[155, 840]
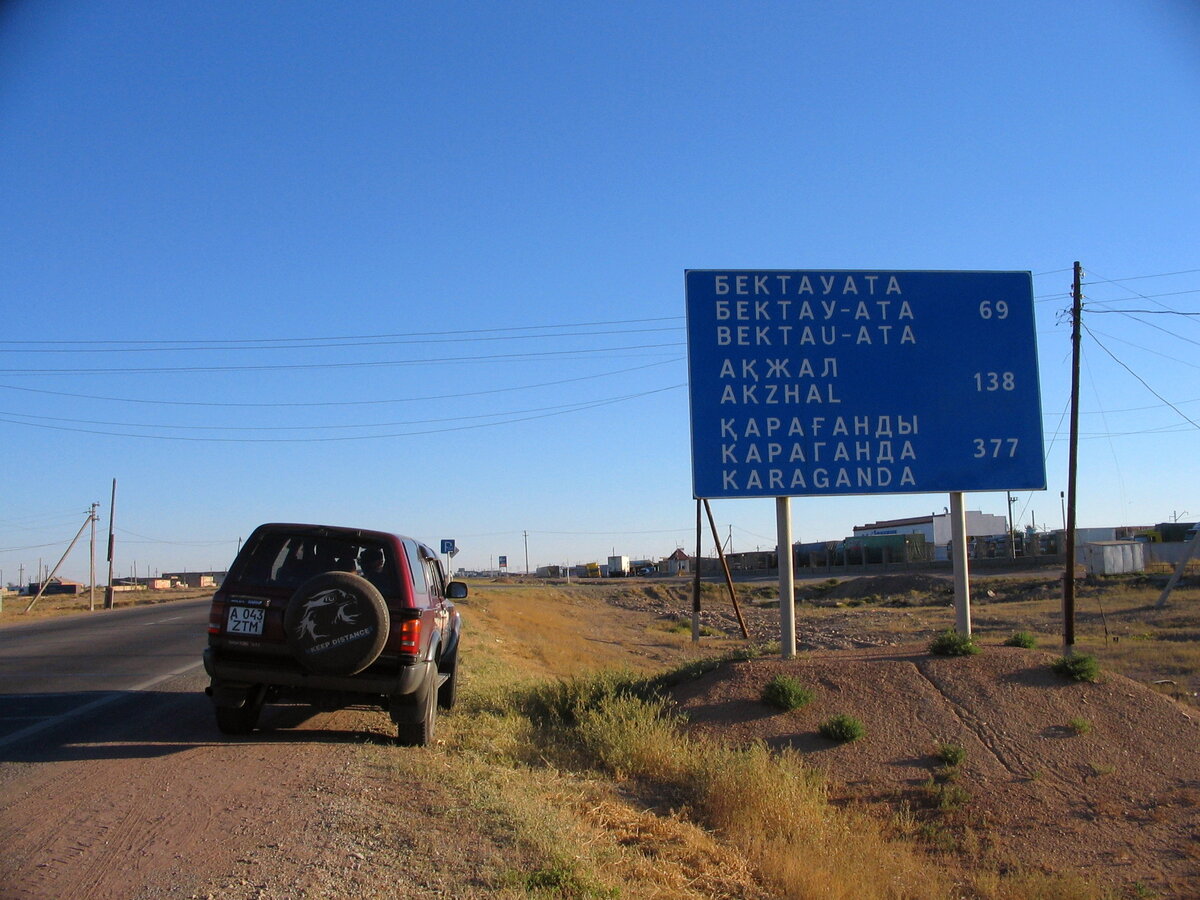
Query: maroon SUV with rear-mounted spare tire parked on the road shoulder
[334, 617]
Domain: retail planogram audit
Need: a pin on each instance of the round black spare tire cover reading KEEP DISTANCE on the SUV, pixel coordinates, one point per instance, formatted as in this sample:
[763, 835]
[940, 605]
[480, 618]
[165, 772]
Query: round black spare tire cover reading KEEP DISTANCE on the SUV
[337, 623]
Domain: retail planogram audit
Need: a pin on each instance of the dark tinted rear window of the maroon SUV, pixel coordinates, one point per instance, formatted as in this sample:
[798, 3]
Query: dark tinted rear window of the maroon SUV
[287, 561]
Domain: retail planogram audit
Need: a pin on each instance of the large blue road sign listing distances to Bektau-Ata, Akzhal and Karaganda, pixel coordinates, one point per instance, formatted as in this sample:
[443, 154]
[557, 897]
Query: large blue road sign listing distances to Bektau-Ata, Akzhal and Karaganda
[835, 382]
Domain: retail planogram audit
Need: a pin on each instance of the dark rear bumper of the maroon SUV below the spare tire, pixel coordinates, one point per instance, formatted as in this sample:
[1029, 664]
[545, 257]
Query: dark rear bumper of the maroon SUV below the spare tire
[386, 677]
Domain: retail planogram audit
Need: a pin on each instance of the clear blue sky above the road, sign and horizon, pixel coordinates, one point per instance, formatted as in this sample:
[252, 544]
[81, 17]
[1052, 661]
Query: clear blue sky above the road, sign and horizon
[419, 266]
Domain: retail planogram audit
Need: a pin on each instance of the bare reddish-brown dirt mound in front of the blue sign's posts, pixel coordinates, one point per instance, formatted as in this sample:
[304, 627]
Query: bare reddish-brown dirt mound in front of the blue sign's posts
[1119, 803]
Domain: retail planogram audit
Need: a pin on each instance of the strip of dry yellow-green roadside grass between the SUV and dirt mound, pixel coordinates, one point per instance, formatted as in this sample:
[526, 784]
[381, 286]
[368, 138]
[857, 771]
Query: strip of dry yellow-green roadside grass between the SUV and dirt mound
[560, 737]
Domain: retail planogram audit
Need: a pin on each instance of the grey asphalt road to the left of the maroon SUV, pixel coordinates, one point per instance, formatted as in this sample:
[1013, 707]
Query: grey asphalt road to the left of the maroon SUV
[73, 673]
